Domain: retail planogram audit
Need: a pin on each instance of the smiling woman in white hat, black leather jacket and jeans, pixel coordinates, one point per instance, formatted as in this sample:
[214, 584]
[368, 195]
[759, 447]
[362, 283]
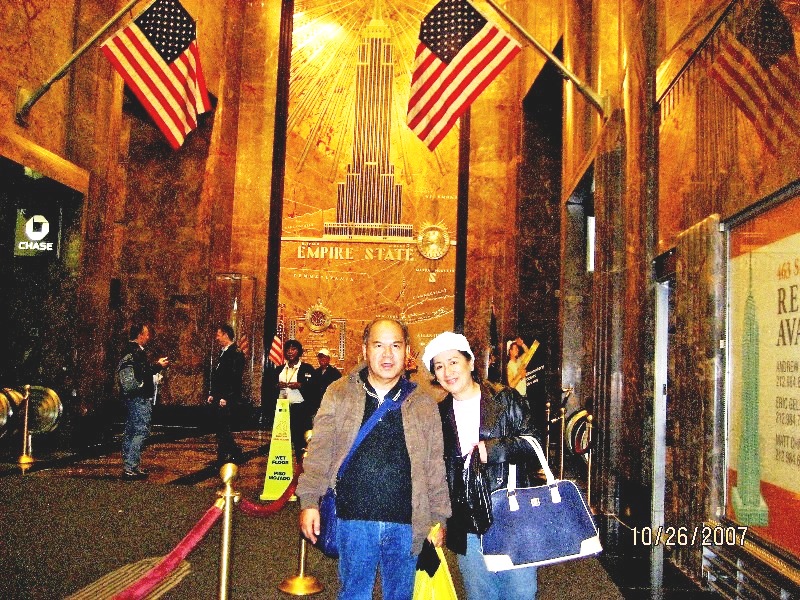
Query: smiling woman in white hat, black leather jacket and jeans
[477, 418]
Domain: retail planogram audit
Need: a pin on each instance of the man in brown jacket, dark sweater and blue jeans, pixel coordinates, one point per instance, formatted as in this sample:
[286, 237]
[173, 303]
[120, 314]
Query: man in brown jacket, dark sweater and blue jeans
[393, 489]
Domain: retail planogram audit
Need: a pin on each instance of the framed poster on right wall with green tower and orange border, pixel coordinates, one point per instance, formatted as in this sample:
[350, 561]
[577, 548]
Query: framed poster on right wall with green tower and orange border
[763, 353]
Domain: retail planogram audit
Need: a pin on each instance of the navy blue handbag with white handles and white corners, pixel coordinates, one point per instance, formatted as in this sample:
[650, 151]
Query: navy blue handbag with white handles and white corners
[539, 525]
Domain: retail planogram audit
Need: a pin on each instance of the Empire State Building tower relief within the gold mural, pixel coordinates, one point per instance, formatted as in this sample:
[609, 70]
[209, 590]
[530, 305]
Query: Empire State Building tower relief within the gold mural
[369, 201]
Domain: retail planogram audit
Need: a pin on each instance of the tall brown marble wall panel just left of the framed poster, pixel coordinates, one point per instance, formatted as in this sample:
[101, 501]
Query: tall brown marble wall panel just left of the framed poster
[694, 403]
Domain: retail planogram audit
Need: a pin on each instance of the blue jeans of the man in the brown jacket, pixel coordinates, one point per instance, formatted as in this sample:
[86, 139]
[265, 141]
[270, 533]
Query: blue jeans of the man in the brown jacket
[366, 545]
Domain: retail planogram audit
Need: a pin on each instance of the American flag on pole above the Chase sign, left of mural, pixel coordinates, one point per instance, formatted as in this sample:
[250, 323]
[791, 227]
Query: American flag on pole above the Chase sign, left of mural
[157, 56]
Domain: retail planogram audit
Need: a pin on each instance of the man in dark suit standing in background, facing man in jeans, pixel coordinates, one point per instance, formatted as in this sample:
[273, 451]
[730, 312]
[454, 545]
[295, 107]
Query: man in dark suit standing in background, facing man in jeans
[225, 393]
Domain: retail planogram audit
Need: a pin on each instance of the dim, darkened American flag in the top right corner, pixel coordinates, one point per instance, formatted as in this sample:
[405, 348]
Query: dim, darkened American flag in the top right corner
[756, 65]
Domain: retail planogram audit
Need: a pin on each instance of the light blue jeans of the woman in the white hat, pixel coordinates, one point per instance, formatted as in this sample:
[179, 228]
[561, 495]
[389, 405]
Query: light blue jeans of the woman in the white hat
[482, 584]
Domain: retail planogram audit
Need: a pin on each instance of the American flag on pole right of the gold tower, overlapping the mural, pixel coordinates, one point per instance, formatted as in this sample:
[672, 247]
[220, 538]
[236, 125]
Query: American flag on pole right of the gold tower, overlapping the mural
[460, 52]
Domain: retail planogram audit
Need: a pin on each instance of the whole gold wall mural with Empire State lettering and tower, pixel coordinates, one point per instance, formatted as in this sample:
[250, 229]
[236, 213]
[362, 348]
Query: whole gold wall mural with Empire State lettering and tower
[369, 212]
